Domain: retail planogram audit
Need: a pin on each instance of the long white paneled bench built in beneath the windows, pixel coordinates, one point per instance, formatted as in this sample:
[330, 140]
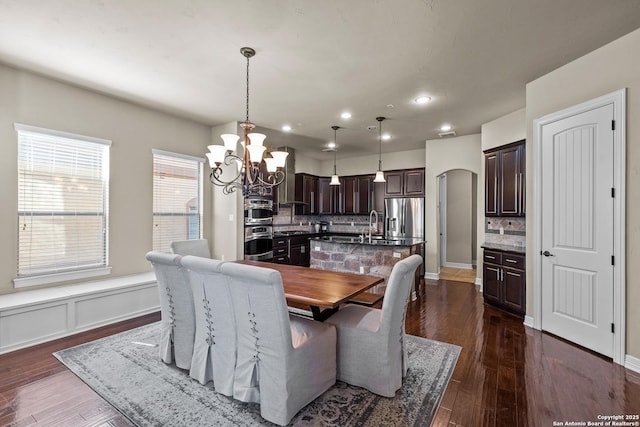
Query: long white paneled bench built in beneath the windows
[37, 316]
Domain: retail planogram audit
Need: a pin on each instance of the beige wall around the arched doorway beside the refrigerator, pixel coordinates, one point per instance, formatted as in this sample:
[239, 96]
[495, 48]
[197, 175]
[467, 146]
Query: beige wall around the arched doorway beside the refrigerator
[442, 155]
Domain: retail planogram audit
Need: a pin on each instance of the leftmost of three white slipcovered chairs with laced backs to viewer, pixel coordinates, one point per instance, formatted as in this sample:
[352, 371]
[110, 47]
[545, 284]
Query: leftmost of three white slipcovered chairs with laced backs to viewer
[177, 322]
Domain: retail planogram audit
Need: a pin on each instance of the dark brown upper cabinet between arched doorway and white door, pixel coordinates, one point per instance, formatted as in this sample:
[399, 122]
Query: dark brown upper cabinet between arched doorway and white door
[505, 169]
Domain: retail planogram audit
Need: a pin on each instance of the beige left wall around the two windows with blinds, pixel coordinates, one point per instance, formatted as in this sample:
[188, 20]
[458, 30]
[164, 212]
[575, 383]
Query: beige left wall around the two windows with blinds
[134, 131]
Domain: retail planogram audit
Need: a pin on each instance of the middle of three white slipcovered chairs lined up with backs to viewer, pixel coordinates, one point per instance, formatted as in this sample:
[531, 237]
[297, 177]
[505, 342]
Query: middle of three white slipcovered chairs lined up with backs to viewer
[214, 349]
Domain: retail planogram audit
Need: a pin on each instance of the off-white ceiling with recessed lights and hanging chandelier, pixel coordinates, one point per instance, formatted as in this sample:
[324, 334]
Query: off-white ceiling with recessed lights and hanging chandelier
[315, 59]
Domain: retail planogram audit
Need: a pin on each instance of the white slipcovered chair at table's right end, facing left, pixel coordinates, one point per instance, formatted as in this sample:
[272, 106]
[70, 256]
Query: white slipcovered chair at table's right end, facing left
[371, 341]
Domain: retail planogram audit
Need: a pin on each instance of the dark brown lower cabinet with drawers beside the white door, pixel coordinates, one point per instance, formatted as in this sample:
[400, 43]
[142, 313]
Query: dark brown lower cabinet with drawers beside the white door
[503, 280]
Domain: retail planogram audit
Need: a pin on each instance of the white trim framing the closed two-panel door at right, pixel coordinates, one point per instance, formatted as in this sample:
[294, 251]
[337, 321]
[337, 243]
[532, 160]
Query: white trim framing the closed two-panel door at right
[618, 99]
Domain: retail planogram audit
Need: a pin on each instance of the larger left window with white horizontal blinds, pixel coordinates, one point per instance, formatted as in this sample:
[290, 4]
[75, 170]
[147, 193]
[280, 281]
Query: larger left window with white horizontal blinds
[63, 187]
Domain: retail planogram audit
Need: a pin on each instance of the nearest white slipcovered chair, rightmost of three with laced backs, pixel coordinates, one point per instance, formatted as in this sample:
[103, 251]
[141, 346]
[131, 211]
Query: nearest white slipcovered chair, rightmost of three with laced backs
[284, 361]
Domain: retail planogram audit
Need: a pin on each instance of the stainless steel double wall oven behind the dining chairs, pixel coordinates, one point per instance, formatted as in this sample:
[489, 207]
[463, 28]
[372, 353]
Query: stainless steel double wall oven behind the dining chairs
[258, 229]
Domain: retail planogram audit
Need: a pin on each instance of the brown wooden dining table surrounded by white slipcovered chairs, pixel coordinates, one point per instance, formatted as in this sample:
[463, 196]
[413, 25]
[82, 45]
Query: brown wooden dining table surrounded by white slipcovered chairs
[322, 290]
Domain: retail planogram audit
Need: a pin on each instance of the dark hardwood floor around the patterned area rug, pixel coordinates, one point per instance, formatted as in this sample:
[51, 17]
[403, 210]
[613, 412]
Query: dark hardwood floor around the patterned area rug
[507, 375]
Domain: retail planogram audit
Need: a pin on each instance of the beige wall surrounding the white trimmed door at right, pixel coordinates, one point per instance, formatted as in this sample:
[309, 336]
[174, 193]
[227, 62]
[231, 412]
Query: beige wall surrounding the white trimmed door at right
[614, 66]
